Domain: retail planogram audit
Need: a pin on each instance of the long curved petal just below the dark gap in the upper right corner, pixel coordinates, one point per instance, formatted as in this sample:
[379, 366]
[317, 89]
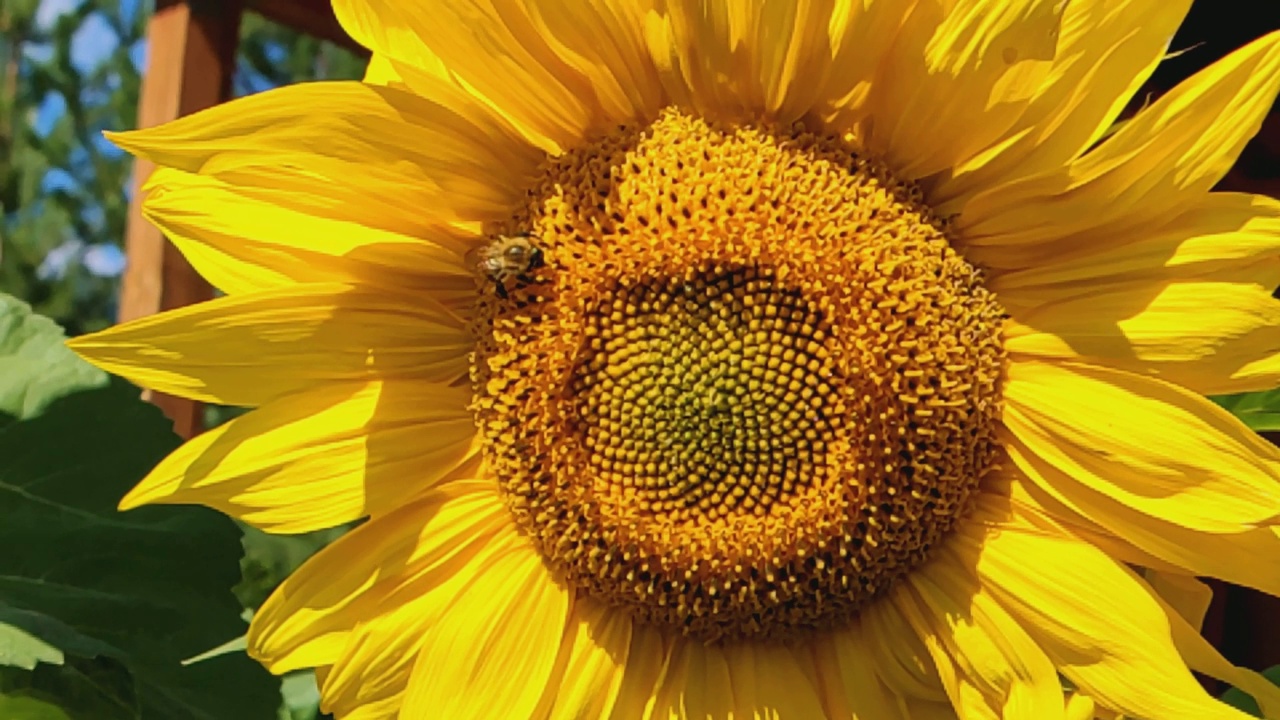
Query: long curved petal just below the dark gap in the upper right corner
[1164, 158]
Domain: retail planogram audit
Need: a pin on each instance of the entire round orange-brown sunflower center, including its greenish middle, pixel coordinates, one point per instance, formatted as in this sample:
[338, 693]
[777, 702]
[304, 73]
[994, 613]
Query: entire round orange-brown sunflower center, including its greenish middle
[749, 385]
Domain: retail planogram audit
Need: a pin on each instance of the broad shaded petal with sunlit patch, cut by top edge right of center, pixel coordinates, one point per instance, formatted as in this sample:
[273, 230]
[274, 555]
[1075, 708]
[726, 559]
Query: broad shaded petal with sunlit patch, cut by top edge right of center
[959, 75]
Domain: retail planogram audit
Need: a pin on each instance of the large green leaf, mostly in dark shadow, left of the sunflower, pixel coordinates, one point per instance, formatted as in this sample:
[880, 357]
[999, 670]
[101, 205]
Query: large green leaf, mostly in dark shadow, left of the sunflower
[124, 598]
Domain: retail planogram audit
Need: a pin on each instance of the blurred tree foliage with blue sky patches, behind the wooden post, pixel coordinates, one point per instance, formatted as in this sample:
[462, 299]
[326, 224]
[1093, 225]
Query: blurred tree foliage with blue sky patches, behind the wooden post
[65, 190]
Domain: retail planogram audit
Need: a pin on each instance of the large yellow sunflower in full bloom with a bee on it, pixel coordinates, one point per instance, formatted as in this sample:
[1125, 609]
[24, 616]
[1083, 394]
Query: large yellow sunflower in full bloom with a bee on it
[734, 358]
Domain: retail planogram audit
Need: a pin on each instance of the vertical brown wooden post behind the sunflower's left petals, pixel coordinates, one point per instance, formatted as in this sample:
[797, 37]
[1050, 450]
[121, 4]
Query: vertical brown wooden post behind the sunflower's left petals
[191, 58]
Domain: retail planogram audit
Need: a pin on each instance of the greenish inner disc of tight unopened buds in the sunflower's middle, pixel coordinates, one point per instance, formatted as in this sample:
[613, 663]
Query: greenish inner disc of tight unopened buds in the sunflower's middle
[707, 397]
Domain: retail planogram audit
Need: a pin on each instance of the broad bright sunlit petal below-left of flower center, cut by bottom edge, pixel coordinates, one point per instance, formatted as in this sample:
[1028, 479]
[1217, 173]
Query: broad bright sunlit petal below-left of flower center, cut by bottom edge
[493, 650]
